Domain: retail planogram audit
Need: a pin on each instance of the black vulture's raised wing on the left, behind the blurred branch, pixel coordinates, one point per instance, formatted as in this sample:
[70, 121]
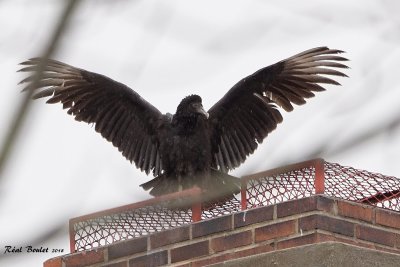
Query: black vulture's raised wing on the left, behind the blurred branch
[120, 115]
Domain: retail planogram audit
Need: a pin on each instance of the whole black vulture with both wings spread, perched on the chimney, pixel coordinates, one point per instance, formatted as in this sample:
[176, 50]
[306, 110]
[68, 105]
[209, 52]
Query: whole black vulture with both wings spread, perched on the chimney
[192, 147]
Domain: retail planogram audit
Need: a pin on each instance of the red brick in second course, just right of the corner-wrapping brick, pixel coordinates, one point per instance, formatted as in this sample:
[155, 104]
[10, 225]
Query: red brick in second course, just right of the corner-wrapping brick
[376, 235]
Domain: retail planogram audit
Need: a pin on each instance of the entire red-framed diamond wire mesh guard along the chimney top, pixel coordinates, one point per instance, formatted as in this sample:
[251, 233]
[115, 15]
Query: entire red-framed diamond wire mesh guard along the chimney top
[267, 188]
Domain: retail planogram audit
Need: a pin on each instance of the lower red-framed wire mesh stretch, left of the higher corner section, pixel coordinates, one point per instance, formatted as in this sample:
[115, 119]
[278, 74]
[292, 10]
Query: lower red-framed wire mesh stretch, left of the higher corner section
[107, 227]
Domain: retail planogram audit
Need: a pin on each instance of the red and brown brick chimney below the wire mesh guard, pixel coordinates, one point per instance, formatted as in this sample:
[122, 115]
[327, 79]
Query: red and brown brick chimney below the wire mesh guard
[317, 230]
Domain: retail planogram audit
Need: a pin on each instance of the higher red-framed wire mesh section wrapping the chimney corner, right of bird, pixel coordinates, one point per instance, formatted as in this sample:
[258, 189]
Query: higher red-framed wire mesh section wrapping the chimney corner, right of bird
[301, 180]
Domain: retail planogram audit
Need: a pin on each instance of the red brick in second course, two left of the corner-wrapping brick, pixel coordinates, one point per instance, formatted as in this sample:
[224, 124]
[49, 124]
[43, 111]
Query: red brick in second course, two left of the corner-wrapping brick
[231, 241]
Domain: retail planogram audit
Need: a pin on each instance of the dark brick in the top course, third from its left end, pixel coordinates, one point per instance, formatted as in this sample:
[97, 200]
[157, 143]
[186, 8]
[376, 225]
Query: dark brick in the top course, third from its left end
[127, 248]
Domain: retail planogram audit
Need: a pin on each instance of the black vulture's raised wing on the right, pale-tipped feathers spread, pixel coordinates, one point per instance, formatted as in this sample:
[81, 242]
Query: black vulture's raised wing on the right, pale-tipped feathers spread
[248, 112]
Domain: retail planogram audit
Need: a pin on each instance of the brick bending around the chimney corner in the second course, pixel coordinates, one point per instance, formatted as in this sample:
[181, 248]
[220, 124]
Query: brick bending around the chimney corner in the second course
[330, 224]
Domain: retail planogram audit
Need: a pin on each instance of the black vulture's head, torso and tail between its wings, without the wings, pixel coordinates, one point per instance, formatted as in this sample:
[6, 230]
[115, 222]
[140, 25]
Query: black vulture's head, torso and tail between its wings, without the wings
[186, 154]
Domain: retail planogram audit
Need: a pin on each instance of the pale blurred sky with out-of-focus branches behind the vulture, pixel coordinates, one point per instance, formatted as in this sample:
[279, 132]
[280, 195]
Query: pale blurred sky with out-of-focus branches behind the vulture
[58, 168]
